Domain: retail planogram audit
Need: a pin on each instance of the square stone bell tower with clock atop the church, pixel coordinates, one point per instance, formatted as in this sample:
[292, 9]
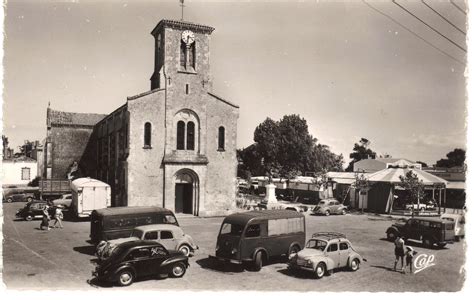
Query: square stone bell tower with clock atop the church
[181, 54]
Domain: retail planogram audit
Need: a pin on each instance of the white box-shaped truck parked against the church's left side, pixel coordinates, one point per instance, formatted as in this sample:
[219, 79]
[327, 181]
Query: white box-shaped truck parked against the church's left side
[87, 195]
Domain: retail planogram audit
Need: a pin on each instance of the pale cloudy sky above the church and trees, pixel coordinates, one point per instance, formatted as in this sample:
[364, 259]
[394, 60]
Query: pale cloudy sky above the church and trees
[351, 69]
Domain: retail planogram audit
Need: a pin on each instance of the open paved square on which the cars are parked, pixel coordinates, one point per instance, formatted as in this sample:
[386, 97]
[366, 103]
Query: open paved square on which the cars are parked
[61, 259]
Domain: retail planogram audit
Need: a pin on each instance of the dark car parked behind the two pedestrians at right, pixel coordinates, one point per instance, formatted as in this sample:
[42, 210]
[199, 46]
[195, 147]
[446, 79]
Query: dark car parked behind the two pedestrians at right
[429, 230]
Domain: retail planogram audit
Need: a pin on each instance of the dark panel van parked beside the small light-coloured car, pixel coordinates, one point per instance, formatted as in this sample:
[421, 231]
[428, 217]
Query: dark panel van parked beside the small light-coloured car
[251, 238]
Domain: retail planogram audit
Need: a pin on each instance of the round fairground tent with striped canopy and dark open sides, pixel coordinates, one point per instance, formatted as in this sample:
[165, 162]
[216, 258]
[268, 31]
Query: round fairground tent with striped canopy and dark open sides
[384, 182]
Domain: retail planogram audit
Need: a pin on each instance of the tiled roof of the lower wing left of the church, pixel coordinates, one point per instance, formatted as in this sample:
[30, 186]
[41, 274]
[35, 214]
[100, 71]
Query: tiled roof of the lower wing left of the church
[56, 117]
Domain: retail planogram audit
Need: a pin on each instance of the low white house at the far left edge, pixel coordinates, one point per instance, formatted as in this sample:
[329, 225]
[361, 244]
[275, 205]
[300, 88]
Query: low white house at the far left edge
[18, 171]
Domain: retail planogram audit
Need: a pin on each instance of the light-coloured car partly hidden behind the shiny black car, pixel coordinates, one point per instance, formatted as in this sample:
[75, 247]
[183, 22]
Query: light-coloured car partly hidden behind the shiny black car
[171, 237]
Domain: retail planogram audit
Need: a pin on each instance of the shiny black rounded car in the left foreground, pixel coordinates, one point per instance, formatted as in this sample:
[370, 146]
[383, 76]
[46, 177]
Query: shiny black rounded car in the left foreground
[135, 259]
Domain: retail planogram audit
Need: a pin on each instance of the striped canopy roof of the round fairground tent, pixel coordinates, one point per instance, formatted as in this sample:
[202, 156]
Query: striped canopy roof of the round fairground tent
[392, 175]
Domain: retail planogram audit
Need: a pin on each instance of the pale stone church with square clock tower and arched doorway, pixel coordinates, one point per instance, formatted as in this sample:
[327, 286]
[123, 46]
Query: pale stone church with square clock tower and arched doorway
[173, 146]
